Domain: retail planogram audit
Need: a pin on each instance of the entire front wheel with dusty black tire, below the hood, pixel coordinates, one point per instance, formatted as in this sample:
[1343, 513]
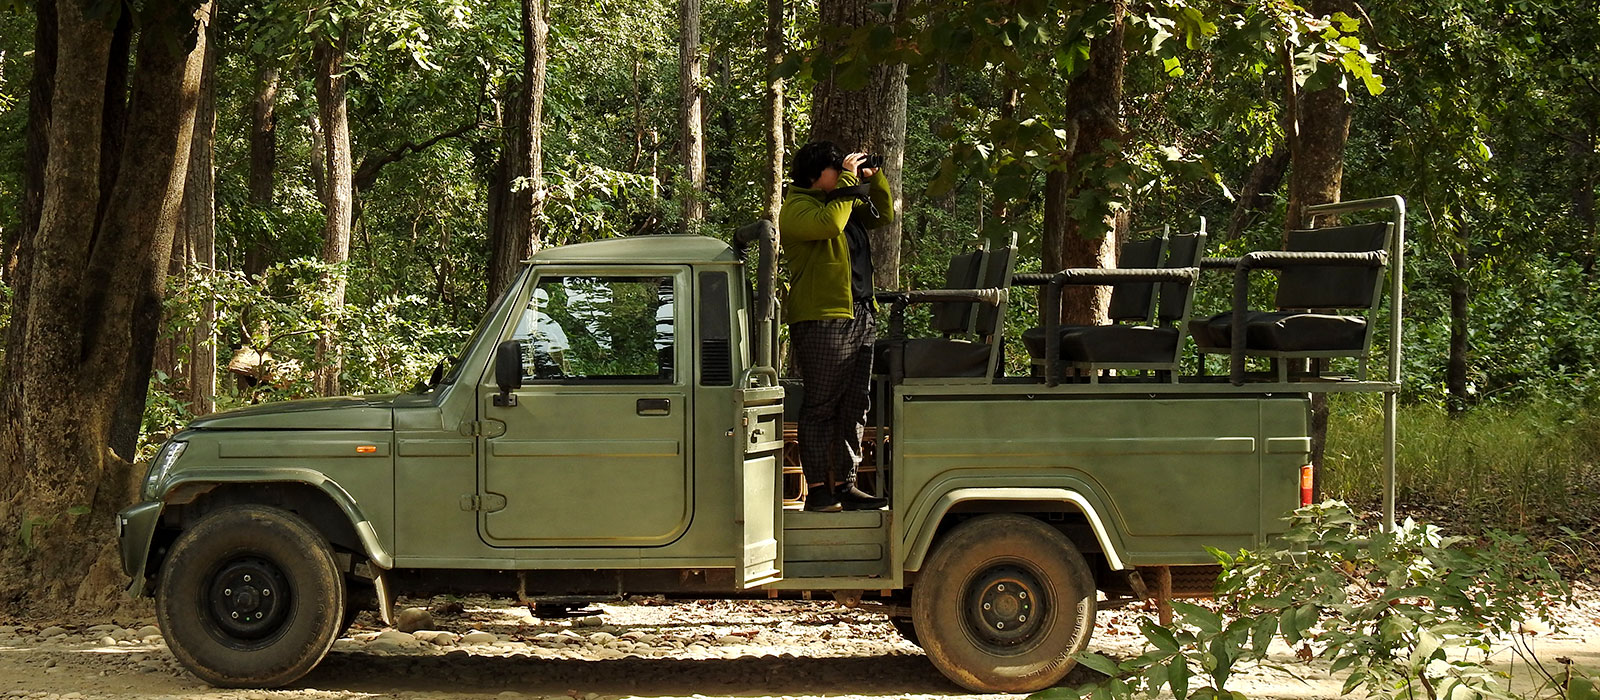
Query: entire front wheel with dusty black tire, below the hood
[250, 562]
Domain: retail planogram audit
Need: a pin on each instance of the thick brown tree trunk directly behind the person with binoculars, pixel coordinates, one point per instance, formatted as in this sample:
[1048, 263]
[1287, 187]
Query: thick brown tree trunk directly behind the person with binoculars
[870, 121]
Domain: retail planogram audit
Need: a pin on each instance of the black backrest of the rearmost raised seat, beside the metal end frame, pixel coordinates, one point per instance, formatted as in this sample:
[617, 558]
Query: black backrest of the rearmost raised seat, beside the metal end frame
[1318, 287]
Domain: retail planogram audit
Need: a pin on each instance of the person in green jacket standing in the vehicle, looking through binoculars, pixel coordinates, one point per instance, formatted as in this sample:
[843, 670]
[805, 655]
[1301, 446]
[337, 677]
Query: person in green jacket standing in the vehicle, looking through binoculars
[831, 316]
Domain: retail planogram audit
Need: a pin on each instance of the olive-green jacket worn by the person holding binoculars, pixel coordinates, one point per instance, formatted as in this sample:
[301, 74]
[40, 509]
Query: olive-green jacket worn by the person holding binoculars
[817, 253]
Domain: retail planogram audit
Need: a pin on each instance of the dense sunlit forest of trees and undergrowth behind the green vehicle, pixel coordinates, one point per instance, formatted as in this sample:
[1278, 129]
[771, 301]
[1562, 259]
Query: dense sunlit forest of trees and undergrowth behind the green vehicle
[209, 205]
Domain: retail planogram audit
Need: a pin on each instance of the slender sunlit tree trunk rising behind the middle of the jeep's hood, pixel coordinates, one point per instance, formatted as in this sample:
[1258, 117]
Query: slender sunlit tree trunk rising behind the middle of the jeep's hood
[332, 105]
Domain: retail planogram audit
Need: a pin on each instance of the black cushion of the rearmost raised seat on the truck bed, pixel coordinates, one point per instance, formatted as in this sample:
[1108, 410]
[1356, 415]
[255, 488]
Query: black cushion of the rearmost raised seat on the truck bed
[1284, 332]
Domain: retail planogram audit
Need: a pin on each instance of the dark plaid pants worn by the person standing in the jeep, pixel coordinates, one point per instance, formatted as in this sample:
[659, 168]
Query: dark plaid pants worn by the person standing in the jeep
[836, 362]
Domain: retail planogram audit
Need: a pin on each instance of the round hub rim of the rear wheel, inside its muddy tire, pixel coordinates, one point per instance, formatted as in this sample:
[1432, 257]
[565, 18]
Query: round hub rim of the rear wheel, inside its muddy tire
[1007, 608]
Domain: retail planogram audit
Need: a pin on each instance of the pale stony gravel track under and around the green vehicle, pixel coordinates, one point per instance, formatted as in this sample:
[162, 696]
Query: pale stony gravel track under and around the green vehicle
[487, 648]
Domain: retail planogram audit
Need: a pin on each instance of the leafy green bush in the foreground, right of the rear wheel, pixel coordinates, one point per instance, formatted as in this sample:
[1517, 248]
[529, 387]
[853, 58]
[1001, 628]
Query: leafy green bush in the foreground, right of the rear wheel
[1409, 613]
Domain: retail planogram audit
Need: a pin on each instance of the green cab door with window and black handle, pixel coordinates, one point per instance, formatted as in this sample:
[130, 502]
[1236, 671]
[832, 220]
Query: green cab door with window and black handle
[596, 450]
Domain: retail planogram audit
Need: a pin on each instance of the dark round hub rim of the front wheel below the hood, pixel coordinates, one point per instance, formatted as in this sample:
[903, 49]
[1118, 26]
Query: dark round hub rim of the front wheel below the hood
[249, 600]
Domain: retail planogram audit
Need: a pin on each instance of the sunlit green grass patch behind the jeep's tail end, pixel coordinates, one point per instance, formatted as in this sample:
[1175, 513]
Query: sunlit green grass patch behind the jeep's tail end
[1522, 466]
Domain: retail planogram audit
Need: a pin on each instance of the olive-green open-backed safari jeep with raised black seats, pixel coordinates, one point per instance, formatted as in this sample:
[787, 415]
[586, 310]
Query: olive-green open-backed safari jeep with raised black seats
[615, 426]
